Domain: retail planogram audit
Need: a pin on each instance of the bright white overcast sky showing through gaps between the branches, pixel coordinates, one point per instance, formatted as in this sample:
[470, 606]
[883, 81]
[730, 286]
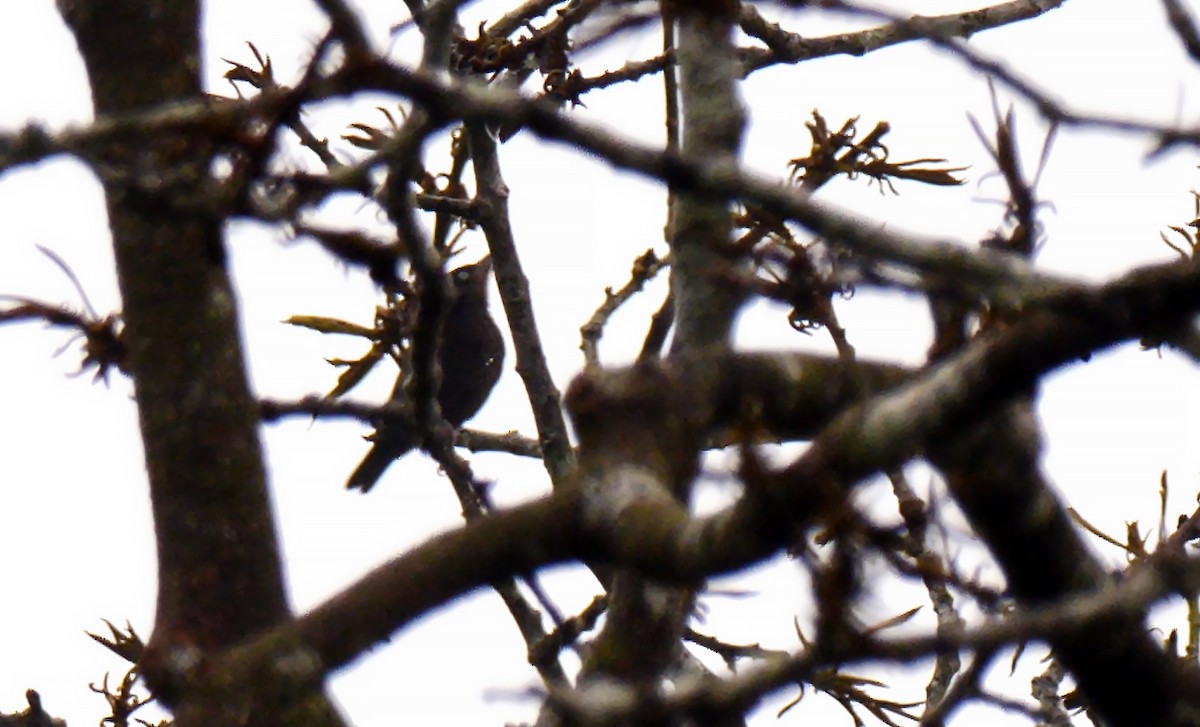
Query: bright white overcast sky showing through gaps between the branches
[76, 542]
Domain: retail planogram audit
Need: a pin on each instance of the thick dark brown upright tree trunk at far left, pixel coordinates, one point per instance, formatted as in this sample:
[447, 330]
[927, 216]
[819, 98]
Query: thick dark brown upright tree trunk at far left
[220, 578]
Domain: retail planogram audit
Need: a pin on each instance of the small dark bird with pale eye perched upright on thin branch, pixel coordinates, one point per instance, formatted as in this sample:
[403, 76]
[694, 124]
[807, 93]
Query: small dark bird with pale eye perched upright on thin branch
[471, 356]
